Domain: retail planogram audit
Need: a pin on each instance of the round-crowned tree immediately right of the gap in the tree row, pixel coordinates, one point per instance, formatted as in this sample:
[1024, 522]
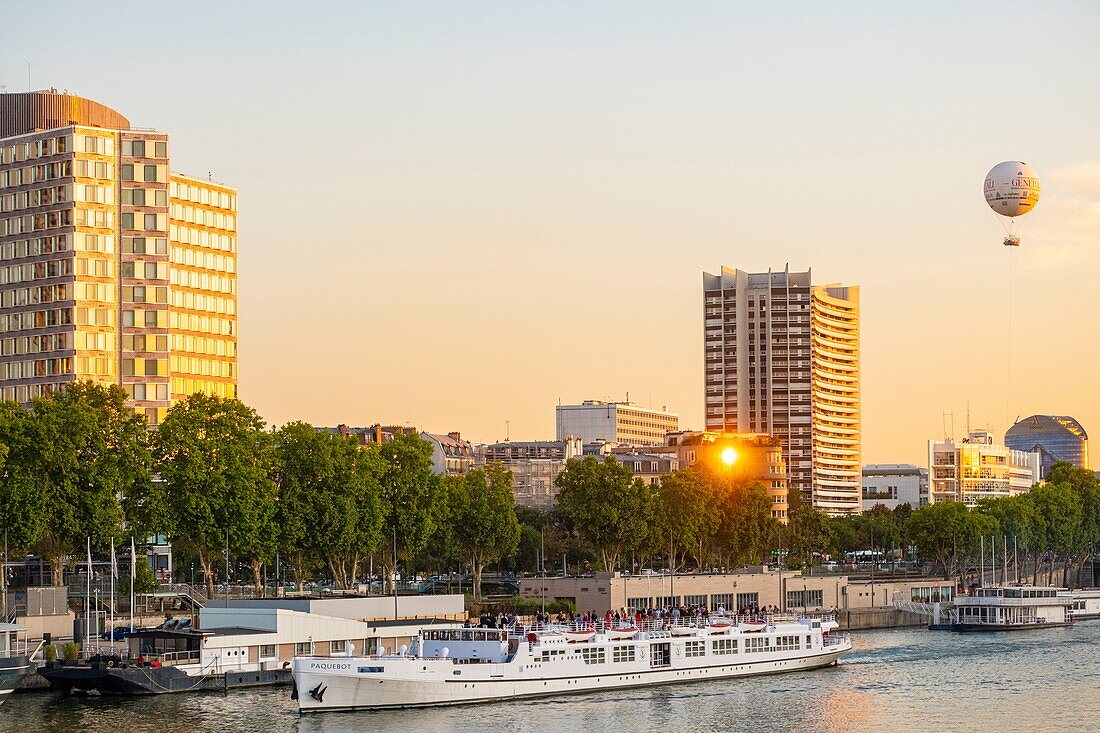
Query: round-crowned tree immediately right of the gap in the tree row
[608, 507]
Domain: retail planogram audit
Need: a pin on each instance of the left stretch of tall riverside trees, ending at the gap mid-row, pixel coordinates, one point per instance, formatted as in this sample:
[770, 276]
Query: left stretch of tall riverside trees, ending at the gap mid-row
[82, 465]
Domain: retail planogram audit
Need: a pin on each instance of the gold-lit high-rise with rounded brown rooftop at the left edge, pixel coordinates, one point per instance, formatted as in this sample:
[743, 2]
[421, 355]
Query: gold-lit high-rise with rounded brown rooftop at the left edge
[113, 268]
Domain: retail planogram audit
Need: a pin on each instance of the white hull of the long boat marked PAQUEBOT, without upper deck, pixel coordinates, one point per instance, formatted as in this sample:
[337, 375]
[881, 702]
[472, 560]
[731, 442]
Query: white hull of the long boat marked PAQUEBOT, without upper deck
[340, 687]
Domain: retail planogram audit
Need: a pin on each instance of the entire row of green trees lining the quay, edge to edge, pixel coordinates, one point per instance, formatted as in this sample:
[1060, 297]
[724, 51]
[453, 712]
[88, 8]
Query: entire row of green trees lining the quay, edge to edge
[82, 465]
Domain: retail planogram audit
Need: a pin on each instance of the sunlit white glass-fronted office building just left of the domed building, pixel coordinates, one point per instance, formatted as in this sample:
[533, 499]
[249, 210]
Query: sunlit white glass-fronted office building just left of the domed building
[977, 469]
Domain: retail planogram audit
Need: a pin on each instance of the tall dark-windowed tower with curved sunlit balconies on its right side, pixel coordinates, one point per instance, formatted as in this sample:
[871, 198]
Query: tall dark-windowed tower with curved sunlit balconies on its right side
[783, 358]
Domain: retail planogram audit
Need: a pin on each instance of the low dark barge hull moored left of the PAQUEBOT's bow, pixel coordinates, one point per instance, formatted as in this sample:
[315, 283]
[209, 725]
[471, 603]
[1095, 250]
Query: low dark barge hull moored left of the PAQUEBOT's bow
[155, 681]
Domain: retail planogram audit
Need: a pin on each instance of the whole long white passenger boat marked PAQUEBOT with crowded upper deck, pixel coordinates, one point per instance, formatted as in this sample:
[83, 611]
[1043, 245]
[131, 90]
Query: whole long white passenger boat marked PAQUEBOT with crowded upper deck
[463, 665]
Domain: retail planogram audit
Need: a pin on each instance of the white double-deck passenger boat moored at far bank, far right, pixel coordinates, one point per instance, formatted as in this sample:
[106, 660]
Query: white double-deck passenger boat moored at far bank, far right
[1013, 608]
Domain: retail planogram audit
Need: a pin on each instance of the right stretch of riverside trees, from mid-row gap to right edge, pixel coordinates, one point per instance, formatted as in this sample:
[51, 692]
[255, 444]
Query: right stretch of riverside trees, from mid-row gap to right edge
[707, 517]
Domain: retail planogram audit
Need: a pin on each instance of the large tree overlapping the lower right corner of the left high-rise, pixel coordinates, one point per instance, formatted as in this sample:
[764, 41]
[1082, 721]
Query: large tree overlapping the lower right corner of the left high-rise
[215, 461]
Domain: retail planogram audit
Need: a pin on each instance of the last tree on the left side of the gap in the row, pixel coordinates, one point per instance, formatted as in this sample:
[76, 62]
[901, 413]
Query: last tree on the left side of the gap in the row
[485, 523]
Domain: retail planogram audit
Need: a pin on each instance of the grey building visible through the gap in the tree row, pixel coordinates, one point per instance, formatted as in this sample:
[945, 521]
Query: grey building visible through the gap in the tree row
[535, 465]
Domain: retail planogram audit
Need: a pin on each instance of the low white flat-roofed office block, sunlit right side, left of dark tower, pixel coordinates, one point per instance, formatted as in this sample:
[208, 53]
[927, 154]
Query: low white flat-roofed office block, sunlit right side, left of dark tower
[623, 423]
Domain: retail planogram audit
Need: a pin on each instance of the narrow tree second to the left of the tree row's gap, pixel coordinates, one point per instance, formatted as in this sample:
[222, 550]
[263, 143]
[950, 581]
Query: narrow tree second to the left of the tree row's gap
[413, 499]
